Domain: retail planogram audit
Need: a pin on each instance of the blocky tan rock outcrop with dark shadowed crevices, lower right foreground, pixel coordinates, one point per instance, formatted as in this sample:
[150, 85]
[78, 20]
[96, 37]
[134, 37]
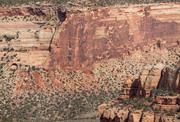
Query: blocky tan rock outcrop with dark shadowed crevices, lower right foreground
[146, 99]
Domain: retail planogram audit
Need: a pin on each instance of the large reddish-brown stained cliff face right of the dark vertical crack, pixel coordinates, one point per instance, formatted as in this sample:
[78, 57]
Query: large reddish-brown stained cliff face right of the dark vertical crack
[106, 33]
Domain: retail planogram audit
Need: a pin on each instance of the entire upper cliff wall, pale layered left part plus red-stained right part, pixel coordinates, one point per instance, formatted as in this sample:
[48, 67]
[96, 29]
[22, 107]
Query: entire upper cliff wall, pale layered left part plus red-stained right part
[96, 35]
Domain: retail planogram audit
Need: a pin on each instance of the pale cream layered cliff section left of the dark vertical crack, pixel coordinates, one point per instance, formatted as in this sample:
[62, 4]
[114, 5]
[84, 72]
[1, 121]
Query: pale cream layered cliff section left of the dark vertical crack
[28, 31]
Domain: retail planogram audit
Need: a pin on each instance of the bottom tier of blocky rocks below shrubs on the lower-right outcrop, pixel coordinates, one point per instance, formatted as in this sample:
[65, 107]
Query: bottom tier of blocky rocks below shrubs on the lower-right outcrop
[140, 112]
